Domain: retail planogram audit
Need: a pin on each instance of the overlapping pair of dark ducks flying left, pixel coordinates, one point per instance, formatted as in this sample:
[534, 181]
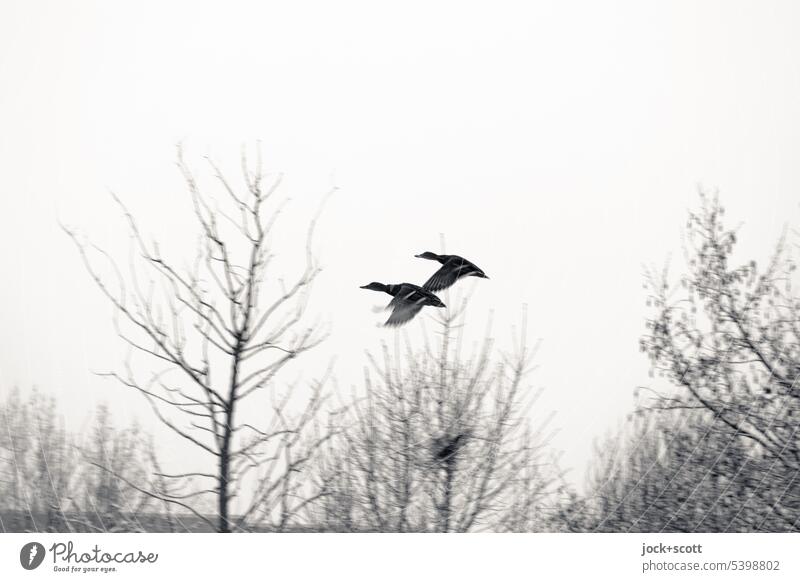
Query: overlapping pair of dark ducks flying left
[409, 299]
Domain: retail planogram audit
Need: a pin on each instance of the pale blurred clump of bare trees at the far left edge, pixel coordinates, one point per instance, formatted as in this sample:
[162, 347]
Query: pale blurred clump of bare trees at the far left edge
[48, 480]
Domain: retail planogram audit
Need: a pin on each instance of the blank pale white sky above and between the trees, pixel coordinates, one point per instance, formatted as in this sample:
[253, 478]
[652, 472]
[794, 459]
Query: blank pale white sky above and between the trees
[556, 144]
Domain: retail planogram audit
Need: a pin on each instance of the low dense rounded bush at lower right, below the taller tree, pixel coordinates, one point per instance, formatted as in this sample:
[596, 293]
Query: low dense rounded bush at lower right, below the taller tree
[674, 471]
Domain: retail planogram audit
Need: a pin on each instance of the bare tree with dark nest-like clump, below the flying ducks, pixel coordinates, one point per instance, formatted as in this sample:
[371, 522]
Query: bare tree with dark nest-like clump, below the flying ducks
[439, 441]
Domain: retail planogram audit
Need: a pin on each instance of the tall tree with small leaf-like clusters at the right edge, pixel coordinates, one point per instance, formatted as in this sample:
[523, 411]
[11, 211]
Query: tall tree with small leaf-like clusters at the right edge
[728, 340]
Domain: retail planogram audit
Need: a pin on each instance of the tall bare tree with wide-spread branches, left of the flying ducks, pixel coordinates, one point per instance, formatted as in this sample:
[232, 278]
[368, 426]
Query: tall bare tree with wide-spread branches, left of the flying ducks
[220, 332]
